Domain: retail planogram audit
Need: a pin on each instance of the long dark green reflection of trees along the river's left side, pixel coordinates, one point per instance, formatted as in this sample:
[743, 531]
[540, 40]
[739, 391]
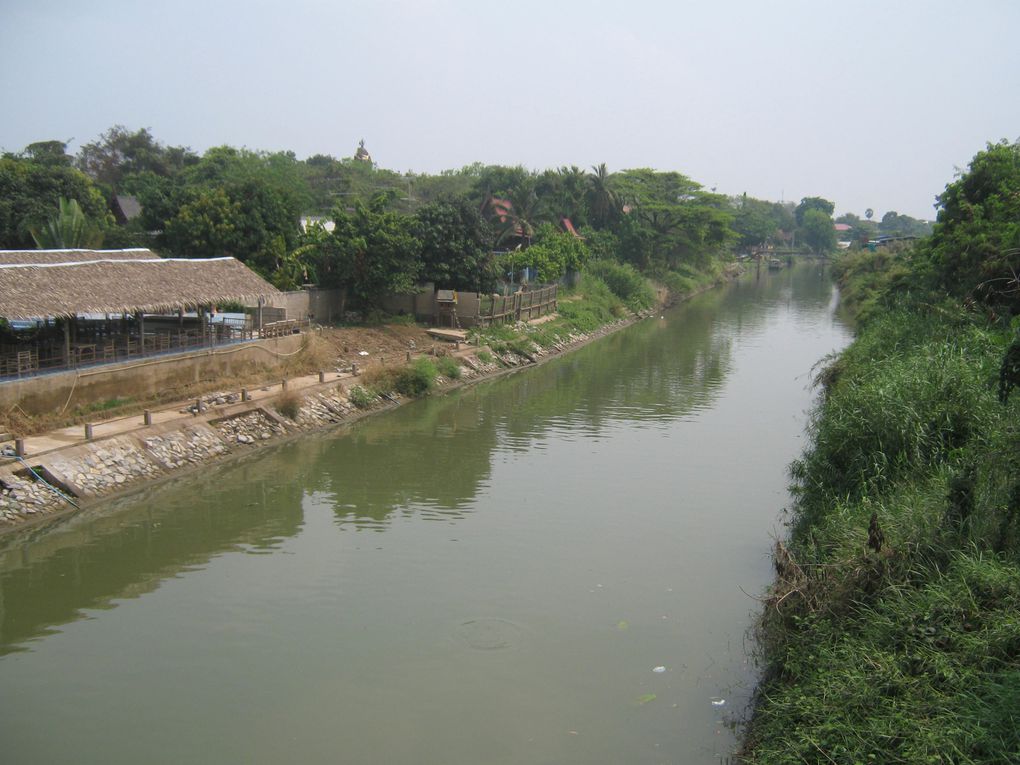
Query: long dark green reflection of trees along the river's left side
[432, 460]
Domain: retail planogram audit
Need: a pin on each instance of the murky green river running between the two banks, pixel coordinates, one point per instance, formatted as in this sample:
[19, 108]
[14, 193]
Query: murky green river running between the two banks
[556, 567]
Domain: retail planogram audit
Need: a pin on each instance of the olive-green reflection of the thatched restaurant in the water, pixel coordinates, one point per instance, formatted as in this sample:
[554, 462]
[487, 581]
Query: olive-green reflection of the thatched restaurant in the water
[128, 549]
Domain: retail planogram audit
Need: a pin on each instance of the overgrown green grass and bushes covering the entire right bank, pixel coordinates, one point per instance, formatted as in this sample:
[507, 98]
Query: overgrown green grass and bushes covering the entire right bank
[893, 632]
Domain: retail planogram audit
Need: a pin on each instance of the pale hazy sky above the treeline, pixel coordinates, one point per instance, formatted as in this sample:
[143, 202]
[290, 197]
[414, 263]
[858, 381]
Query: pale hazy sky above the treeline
[871, 105]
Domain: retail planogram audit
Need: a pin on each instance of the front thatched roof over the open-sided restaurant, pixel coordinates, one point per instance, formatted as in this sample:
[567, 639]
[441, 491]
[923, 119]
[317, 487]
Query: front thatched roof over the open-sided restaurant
[125, 286]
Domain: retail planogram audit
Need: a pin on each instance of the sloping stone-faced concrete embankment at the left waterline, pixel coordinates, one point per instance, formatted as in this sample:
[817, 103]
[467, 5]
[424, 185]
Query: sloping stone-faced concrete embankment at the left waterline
[63, 474]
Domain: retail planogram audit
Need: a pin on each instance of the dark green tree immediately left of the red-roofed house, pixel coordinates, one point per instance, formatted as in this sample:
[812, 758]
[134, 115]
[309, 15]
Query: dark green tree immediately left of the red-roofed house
[454, 241]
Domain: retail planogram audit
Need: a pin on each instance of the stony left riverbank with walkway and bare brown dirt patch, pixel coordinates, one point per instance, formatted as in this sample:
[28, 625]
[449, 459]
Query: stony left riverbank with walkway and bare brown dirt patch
[64, 473]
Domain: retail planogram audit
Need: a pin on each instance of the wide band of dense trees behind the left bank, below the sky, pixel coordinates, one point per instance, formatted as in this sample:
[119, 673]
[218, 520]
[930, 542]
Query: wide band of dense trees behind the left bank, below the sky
[309, 222]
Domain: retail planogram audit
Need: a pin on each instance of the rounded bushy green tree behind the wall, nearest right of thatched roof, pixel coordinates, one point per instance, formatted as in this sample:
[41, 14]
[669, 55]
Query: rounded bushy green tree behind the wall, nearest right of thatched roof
[372, 251]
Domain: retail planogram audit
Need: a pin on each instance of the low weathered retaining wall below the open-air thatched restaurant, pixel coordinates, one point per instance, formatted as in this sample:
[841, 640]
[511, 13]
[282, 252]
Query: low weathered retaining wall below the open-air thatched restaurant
[145, 377]
